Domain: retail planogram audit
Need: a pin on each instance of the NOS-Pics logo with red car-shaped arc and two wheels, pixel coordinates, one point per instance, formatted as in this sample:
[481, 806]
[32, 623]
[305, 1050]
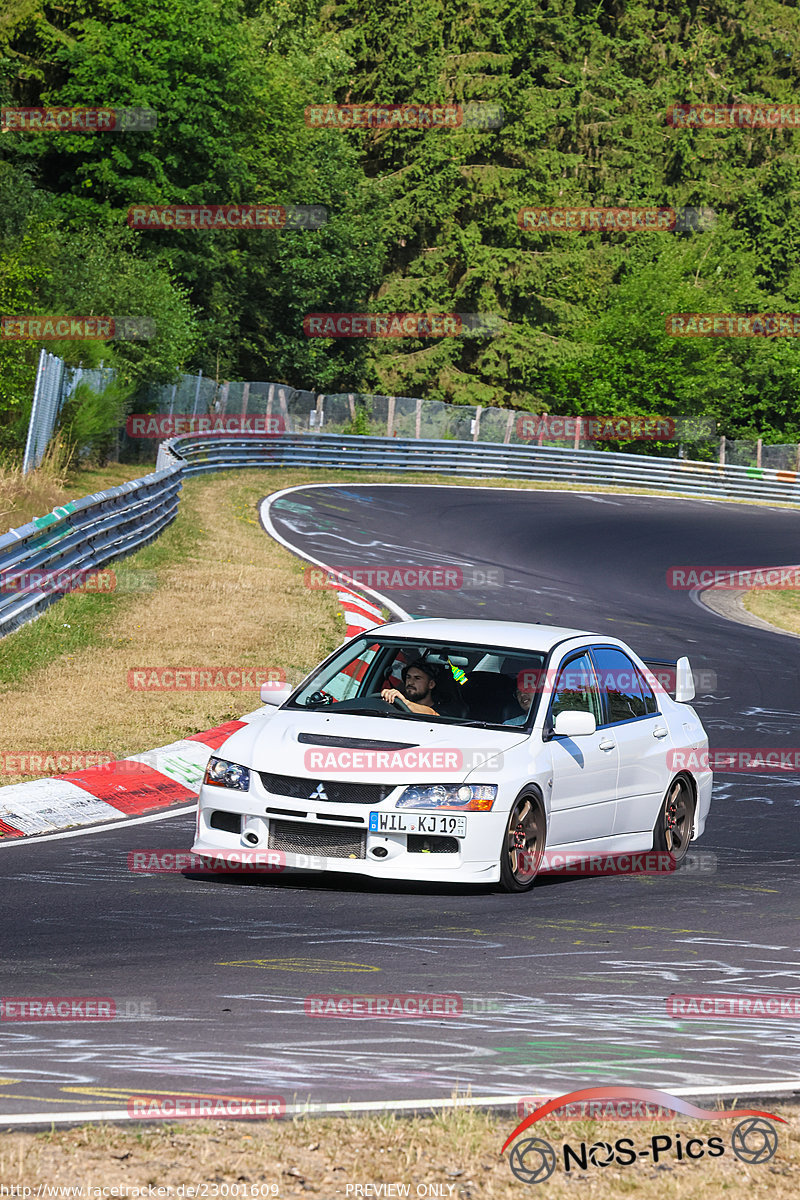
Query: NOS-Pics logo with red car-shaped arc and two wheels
[533, 1160]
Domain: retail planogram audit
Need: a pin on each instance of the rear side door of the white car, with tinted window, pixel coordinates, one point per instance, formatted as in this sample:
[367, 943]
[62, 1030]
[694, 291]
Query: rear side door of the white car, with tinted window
[634, 719]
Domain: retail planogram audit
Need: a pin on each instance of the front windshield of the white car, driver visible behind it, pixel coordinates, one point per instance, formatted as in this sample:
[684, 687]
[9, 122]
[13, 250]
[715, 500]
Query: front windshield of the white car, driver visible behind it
[443, 682]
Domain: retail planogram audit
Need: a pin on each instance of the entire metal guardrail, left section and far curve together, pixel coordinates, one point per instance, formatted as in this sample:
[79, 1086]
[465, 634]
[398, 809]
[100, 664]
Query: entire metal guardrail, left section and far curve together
[86, 535]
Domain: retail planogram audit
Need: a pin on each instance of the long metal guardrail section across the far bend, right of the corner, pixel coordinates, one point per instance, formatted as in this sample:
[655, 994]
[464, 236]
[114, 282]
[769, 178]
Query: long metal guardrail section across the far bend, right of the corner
[483, 460]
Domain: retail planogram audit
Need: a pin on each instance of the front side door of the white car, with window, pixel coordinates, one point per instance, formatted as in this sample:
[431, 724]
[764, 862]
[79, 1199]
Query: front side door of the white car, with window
[585, 770]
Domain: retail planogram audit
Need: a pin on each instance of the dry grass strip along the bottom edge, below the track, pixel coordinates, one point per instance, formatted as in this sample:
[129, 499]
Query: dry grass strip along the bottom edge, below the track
[456, 1155]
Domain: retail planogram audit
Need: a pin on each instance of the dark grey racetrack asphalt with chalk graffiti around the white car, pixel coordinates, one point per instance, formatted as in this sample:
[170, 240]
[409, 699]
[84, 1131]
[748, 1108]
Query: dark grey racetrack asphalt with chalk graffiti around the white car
[562, 988]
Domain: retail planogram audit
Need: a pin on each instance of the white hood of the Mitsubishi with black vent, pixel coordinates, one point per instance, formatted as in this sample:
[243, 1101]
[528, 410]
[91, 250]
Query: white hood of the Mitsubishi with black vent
[315, 746]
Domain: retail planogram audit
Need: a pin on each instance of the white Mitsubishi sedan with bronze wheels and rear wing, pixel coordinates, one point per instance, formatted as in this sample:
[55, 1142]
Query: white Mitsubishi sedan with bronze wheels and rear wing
[534, 739]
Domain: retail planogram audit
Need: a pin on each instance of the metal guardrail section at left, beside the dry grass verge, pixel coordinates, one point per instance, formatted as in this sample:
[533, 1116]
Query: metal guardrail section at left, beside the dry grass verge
[82, 537]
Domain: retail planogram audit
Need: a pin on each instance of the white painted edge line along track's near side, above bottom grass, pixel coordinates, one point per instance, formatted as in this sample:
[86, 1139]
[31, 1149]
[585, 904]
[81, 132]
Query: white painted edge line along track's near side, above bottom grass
[751, 1091]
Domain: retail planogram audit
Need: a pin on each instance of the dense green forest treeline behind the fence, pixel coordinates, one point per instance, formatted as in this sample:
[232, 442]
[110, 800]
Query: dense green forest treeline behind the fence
[419, 220]
